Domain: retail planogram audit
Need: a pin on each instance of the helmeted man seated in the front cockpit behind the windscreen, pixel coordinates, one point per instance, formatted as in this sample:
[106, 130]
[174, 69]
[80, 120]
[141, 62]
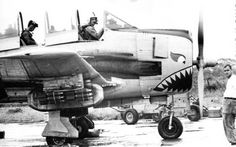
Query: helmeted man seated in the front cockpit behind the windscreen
[90, 32]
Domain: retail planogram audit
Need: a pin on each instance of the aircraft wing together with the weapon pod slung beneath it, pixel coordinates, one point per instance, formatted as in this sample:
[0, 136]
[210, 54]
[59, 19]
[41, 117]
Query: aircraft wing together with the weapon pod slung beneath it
[68, 80]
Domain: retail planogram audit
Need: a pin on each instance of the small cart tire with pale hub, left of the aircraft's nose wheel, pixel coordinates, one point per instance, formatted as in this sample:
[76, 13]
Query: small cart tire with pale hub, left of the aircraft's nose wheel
[131, 116]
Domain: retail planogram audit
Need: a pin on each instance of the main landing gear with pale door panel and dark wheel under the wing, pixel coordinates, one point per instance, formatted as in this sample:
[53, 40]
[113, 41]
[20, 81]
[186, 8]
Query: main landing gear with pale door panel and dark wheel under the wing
[63, 127]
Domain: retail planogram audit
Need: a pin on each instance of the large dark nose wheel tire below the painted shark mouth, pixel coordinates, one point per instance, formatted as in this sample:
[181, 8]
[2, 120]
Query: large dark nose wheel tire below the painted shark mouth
[174, 132]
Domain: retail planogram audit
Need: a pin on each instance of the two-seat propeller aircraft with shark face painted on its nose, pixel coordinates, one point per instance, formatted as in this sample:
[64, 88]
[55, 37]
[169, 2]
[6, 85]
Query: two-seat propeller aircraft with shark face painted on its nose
[67, 75]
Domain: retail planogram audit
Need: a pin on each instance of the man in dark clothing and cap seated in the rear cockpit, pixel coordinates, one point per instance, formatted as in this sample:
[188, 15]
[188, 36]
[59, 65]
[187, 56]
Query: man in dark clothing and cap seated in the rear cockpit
[26, 35]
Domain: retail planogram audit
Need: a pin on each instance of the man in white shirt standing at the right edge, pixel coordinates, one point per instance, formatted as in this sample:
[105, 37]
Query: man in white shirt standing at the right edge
[229, 104]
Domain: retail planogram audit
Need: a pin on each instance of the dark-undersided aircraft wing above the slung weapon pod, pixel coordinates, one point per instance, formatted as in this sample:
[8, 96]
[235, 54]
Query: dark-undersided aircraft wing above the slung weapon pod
[45, 64]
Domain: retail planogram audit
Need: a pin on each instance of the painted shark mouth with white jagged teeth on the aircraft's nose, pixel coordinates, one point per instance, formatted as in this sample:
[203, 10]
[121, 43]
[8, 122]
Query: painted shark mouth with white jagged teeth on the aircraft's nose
[180, 81]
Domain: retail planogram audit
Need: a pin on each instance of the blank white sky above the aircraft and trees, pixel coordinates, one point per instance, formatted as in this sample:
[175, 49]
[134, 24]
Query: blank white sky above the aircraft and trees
[218, 16]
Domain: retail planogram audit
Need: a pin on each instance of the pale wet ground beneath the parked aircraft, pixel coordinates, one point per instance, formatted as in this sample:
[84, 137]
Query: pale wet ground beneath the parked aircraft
[207, 132]
